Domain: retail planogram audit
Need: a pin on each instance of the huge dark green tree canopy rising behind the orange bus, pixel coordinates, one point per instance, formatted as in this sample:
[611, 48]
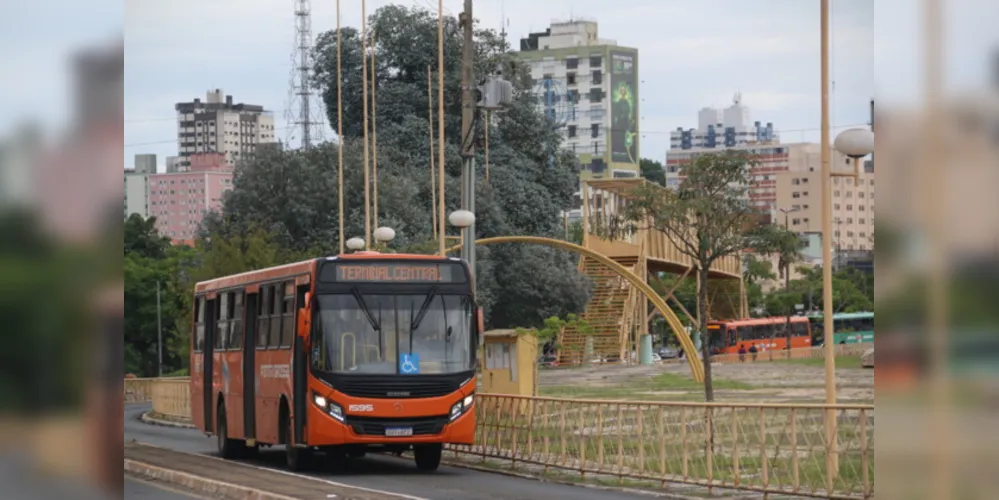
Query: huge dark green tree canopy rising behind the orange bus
[292, 195]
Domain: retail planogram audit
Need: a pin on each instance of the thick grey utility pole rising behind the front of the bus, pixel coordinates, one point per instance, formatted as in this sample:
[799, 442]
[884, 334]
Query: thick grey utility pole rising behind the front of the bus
[468, 107]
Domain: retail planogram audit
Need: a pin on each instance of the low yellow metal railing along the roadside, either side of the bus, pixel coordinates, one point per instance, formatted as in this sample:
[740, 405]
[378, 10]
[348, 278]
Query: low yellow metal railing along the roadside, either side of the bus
[766, 448]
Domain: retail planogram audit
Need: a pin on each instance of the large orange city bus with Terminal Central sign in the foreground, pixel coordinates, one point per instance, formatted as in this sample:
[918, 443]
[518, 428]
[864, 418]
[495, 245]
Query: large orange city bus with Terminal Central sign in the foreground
[344, 354]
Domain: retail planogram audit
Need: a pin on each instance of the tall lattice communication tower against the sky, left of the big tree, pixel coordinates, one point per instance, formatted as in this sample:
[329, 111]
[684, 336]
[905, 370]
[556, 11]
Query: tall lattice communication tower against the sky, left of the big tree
[304, 113]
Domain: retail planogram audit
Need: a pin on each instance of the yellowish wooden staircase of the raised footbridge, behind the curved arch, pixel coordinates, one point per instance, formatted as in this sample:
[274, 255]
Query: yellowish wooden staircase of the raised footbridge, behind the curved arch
[606, 316]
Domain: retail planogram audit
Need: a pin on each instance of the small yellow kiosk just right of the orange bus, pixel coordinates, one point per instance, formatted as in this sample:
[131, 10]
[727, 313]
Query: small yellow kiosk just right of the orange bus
[509, 363]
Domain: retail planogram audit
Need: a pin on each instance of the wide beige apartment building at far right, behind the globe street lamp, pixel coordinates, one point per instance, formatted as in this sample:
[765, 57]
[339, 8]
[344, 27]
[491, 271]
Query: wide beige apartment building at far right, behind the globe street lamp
[799, 190]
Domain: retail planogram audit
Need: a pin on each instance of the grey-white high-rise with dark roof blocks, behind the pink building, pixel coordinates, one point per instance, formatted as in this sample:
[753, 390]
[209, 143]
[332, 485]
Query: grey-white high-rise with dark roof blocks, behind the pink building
[219, 126]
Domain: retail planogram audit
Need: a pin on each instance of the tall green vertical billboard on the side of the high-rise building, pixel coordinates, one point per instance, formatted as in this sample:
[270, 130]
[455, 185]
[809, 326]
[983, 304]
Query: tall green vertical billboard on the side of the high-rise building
[624, 107]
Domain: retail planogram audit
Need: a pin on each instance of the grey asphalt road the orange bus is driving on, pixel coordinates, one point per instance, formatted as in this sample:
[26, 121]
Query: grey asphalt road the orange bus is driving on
[385, 473]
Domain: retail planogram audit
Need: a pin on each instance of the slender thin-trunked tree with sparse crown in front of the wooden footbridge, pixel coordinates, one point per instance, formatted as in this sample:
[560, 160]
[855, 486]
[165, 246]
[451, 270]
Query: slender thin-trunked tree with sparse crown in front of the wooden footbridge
[708, 218]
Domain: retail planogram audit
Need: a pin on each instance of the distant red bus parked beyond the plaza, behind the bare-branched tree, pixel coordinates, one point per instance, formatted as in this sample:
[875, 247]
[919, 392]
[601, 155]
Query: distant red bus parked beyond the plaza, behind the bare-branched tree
[766, 334]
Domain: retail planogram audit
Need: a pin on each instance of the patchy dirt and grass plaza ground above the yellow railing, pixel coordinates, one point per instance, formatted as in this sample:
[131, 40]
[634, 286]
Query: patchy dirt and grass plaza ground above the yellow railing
[776, 382]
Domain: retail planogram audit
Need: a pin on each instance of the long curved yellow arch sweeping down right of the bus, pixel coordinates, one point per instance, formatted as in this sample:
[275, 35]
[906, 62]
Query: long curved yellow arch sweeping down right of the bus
[693, 360]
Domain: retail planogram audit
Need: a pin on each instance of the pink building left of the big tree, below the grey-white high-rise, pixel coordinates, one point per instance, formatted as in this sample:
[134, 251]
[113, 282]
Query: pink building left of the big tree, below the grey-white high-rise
[179, 200]
